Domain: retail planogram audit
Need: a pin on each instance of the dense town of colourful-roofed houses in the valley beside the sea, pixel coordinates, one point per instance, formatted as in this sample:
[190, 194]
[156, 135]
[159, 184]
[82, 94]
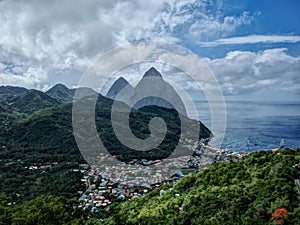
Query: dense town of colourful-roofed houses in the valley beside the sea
[121, 182]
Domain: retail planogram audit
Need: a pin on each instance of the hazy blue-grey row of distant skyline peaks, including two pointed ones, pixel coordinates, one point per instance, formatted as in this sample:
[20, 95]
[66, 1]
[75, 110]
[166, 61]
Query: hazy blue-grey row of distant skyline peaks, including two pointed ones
[152, 81]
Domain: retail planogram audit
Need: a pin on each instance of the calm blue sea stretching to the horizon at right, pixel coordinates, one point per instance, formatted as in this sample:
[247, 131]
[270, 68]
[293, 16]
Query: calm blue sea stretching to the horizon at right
[257, 125]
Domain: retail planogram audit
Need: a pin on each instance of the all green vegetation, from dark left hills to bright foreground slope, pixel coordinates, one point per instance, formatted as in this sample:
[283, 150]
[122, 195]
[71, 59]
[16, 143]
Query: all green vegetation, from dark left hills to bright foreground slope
[39, 173]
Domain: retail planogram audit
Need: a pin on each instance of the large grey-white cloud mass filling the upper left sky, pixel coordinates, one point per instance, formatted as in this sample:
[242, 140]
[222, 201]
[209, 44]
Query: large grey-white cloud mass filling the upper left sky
[58, 35]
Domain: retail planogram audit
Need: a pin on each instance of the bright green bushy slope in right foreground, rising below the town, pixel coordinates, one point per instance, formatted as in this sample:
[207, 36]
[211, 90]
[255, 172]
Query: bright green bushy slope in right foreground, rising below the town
[246, 192]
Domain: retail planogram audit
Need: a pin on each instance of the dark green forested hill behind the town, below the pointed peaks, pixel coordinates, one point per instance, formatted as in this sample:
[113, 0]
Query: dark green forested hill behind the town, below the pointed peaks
[50, 130]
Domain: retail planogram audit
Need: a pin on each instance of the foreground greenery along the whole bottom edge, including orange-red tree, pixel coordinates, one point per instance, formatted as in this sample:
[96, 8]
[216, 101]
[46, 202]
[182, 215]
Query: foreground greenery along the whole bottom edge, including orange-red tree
[259, 189]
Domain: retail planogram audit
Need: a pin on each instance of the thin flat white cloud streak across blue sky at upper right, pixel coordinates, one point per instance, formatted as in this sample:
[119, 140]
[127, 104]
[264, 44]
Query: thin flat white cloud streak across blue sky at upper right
[251, 39]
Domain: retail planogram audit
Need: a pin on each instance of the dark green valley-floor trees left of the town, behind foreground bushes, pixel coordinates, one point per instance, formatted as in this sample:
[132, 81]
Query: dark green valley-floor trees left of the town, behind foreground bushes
[20, 183]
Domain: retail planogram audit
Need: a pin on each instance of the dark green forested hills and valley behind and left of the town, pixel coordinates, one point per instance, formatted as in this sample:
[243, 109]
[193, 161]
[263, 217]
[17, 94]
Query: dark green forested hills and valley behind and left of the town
[36, 132]
